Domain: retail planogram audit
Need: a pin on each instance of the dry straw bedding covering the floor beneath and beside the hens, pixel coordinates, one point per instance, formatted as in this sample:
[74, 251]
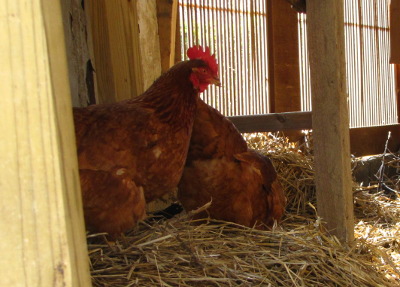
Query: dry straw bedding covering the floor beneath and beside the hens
[178, 252]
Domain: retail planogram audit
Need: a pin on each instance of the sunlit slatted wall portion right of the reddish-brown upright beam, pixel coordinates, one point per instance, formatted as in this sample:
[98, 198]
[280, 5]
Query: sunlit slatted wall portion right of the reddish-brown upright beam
[371, 79]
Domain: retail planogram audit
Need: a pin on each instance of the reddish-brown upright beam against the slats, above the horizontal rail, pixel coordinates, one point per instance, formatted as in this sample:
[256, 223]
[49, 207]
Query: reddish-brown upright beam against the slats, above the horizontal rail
[283, 57]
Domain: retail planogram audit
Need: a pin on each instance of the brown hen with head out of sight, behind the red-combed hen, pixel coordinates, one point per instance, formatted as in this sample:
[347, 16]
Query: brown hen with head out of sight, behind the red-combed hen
[242, 184]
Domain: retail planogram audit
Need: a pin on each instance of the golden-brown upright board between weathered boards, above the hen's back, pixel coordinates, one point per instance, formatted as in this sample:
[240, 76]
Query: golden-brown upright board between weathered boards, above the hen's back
[115, 49]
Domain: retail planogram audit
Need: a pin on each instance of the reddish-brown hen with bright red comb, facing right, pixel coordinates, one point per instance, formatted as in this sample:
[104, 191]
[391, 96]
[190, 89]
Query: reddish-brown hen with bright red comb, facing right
[147, 136]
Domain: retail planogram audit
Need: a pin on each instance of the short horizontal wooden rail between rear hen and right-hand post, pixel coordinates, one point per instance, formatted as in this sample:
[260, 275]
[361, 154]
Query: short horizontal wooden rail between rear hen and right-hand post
[273, 122]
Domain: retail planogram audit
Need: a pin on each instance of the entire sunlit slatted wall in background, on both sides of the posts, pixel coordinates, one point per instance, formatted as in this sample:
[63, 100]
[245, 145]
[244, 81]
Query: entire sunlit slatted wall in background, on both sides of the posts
[236, 29]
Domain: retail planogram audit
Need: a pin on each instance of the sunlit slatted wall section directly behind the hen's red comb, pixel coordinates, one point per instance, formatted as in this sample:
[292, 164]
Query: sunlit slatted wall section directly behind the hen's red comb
[237, 32]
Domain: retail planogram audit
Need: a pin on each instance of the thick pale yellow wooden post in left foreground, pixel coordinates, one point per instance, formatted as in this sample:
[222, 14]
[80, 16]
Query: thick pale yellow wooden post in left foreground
[43, 239]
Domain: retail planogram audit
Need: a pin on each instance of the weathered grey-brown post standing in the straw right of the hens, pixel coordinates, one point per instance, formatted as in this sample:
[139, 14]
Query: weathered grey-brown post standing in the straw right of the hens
[325, 28]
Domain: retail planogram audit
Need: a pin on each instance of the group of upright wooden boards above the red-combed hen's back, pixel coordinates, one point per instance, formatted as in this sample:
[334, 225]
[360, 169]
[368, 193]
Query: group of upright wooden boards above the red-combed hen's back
[113, 49]
